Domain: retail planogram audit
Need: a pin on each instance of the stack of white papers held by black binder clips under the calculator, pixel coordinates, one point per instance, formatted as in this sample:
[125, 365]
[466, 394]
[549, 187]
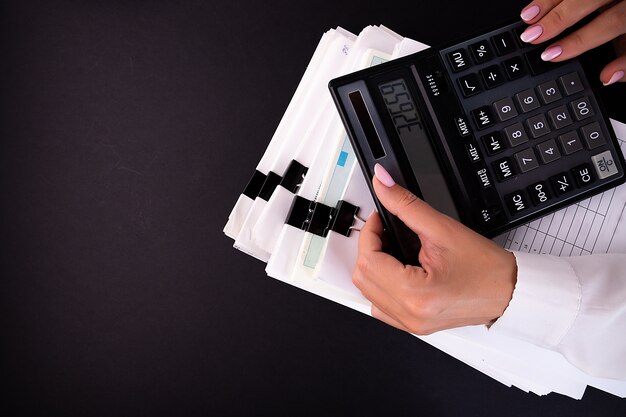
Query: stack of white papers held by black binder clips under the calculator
[326, 173]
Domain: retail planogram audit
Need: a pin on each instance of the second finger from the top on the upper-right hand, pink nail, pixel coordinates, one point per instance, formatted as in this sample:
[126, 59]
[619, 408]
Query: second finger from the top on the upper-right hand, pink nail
[560, 17]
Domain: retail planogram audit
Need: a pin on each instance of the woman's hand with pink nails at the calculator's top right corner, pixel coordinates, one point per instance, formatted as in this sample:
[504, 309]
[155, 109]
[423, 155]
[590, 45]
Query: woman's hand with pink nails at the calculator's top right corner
[548, 18]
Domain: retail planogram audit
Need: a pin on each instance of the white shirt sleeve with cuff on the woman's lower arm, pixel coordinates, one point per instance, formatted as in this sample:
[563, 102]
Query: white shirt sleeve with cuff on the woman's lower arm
[576, 306]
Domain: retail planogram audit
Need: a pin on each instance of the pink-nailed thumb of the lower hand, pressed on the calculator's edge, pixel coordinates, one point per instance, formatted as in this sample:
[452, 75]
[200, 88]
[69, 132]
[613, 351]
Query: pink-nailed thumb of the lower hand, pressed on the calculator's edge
[413, 211]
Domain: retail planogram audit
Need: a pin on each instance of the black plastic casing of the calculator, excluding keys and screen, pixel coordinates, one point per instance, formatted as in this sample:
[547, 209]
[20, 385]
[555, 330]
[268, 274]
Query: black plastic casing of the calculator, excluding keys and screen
[436, 92]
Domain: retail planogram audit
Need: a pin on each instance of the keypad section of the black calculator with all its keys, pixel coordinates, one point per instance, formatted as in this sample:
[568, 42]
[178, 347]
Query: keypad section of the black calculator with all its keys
[532, 136]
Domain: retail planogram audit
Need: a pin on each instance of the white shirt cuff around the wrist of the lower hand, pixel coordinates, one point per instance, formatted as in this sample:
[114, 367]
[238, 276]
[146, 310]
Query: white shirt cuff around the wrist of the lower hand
[545, 302]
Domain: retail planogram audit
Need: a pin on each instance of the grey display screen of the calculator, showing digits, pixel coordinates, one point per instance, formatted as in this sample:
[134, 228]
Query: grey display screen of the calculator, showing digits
[414, 138]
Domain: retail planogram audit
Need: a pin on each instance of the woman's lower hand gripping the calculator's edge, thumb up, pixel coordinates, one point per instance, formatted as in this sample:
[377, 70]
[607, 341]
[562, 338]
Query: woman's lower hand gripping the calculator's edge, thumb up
[464, 278]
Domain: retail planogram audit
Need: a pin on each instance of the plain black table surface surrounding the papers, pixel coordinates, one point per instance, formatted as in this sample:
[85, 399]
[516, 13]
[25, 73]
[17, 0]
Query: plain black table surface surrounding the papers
[128, 130]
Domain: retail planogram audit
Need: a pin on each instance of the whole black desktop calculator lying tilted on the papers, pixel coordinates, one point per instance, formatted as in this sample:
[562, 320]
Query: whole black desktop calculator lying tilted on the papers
[483, 130]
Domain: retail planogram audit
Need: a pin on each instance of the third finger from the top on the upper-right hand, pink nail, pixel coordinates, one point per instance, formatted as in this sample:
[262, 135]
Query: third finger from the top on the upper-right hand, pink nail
[609, 25]
